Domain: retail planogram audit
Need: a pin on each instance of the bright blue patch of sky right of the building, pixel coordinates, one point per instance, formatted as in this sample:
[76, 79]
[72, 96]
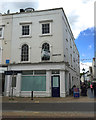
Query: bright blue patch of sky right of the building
[85, 44]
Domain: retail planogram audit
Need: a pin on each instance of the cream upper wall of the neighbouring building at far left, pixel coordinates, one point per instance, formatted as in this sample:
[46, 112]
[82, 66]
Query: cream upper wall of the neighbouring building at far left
[6, 23]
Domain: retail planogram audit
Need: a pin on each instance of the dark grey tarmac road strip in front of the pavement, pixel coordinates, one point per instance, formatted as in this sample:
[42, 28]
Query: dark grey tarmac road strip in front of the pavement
[54, 107]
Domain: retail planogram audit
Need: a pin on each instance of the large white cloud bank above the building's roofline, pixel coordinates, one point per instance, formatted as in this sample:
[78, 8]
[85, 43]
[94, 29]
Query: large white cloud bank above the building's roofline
[80, 13]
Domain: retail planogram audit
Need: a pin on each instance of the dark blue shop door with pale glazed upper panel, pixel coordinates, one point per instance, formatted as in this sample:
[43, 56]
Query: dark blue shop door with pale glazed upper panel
[55, 86]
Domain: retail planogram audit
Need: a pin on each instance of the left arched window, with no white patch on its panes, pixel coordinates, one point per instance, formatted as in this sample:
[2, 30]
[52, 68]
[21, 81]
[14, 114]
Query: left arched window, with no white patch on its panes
[25, 53]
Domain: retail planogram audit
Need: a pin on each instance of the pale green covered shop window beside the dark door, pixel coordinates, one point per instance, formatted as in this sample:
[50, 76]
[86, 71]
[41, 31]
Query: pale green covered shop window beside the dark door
[33, 83]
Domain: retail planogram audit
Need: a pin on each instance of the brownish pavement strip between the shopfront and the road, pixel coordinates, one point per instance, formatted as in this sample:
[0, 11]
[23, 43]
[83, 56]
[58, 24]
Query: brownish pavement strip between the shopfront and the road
[49, 99]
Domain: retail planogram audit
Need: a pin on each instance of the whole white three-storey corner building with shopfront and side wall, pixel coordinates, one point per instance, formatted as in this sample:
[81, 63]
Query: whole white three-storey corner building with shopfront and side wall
[43, 56]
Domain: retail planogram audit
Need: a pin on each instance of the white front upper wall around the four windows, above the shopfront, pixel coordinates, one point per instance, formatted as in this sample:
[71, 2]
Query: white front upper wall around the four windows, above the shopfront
[36, 39]
